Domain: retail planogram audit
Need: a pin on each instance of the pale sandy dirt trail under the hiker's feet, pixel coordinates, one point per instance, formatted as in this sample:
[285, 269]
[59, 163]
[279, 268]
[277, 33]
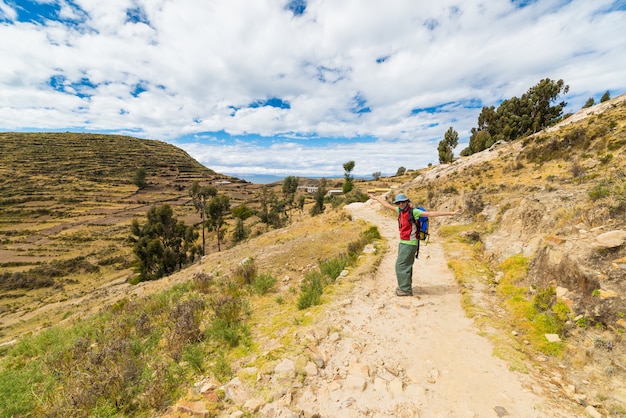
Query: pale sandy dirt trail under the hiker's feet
[414, 356]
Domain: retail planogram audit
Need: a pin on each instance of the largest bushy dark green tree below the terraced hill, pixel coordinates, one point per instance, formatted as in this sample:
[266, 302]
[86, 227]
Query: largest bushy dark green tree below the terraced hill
[162, 243]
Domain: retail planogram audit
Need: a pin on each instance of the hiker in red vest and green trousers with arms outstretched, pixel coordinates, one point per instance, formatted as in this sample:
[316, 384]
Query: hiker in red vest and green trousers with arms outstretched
[408, 239]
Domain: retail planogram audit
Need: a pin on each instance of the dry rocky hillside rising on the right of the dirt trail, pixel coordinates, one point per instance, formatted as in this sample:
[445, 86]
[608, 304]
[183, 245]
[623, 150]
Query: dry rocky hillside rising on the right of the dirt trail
[546, 221]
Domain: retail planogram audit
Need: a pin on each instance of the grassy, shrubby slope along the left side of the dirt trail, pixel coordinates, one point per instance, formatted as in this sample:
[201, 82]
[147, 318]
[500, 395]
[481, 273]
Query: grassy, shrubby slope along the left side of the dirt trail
[138, 355]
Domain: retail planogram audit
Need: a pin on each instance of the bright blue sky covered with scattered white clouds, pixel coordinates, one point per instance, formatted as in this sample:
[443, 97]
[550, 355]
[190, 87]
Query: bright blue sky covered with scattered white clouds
[297, 87]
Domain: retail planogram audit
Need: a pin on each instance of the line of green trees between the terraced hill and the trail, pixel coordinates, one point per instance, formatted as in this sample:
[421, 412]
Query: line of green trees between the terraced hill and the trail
[163, 244]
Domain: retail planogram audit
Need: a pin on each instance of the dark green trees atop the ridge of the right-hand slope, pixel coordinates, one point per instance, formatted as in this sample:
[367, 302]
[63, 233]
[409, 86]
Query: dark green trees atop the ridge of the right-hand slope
[513, 118]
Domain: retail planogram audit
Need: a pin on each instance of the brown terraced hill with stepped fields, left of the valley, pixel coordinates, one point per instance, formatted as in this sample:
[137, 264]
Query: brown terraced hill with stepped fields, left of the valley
[66, 203]
